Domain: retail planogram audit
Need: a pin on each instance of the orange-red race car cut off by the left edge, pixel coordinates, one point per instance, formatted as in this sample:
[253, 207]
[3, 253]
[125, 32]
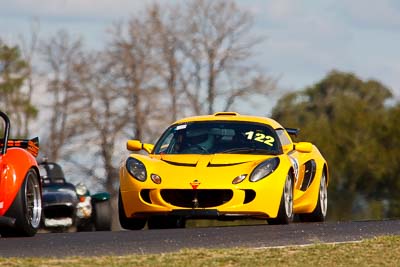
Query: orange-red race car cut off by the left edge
[20, 185]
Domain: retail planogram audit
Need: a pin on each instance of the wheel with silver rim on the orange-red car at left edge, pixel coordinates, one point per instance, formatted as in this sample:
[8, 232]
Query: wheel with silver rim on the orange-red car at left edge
[26, 208]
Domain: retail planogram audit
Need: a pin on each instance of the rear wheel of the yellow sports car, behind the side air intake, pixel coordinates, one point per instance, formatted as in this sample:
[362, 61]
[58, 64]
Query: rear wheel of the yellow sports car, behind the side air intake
[320, 211]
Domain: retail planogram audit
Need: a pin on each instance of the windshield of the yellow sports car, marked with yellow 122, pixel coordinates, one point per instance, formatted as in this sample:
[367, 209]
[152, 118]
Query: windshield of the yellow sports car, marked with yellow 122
[219, 137]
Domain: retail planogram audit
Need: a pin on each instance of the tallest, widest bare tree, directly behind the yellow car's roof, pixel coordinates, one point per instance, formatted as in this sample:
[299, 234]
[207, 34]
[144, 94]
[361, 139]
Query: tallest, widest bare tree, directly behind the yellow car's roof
[220, 45]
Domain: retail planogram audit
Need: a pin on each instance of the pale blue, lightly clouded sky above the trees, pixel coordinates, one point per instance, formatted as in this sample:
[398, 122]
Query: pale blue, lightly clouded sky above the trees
[304, 39]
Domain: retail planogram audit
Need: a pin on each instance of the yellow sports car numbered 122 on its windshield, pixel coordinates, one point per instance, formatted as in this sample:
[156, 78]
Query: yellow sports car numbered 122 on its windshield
[222, 166]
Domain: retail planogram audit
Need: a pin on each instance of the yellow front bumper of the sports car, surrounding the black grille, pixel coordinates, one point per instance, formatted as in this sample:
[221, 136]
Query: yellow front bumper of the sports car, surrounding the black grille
[211, 200]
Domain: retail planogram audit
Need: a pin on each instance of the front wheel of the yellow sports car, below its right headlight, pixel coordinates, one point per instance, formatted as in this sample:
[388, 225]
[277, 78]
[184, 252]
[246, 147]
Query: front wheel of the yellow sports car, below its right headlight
[285, 213]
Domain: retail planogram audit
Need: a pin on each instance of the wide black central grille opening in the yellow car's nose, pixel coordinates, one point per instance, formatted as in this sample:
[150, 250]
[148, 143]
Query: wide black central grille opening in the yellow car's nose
[204, 198]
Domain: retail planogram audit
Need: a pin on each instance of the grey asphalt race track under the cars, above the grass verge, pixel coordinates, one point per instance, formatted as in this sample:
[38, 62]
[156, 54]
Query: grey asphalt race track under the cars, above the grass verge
[169, 240]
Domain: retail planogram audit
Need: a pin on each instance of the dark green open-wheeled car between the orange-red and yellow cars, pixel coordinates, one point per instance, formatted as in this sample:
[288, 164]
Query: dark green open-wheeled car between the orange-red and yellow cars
[67, 206]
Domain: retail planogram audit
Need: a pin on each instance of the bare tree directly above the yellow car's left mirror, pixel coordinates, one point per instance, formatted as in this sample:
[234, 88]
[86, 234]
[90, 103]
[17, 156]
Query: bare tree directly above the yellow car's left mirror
[132, 54]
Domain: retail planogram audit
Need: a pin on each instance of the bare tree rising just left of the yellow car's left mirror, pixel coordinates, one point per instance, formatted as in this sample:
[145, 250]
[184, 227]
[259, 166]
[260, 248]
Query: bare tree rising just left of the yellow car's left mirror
[106, 113]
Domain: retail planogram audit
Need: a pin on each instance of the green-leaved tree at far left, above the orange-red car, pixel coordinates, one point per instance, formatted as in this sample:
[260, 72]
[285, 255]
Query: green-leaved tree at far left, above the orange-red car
[15, 98]
